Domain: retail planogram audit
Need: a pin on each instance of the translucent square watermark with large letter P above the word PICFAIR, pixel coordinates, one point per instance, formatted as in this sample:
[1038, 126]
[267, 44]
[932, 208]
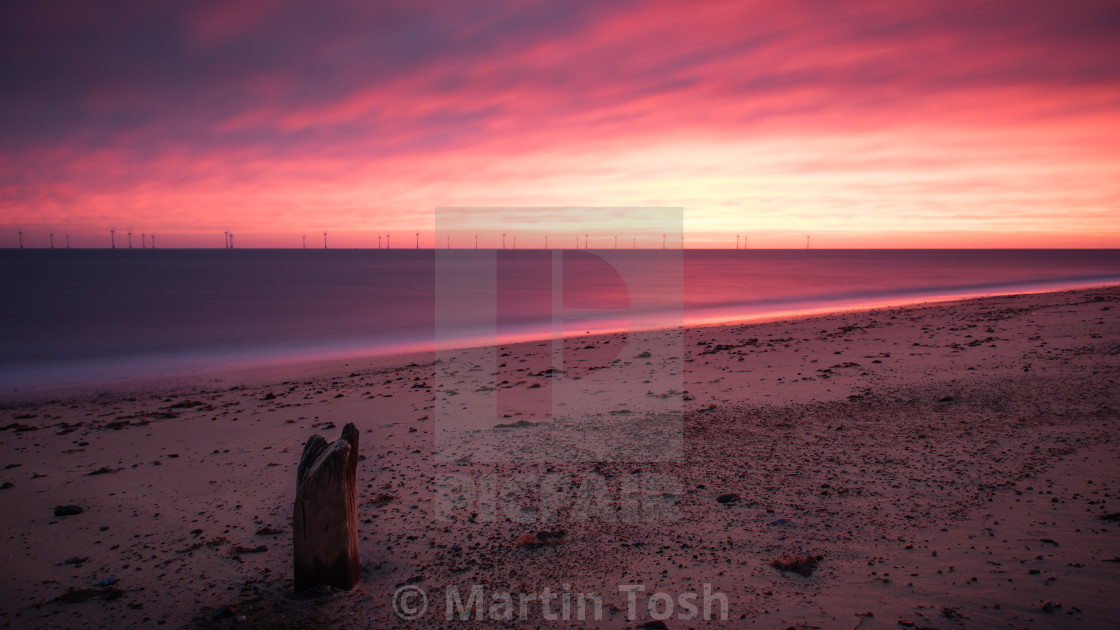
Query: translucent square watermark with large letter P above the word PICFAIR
[559, 335]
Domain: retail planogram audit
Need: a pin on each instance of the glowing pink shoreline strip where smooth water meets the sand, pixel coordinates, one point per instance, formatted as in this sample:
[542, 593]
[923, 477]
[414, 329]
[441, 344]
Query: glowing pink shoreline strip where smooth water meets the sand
[262, 372]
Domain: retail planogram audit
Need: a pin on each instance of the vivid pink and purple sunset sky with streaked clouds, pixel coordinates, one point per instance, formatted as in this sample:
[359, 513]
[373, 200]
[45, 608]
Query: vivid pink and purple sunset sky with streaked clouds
[870, 124]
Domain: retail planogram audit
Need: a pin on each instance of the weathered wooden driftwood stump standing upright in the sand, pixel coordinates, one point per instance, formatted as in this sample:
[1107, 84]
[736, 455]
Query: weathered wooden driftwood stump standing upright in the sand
[326, 513]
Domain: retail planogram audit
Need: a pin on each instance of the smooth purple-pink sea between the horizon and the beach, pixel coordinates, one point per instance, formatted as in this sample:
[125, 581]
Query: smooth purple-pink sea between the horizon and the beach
[76, 316]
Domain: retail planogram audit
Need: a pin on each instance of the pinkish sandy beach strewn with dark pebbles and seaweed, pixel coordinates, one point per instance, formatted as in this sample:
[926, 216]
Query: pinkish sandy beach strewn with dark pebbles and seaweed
[941, 466]
